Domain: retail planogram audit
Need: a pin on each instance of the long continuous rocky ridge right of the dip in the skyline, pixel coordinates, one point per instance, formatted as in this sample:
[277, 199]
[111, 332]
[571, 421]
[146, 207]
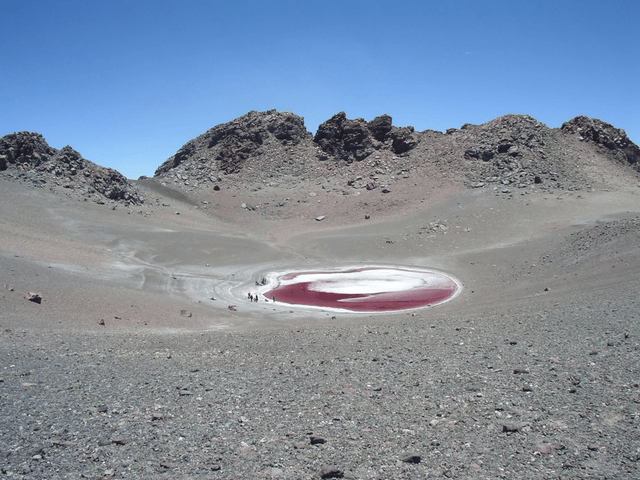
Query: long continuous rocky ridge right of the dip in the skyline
[510, 152]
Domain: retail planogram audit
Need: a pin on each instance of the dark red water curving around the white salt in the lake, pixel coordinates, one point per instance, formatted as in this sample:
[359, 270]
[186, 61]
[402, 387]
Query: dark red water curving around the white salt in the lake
[300, 294]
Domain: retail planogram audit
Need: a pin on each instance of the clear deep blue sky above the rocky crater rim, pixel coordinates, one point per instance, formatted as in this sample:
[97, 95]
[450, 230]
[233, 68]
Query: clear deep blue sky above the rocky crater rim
[127, 83]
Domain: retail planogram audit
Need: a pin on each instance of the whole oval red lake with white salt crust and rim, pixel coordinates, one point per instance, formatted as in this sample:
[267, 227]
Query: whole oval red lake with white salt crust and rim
[372, 289]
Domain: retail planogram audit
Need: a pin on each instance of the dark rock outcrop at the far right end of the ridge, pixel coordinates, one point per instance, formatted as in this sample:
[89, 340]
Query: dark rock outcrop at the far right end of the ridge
[605, 135]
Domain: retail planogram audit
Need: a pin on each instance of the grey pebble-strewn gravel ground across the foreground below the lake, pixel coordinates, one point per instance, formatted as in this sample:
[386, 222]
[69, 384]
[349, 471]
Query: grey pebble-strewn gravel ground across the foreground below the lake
[539, 393]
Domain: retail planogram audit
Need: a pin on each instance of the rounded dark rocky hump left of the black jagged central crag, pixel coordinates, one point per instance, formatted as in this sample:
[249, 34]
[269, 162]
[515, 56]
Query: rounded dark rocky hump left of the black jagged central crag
[227, 146]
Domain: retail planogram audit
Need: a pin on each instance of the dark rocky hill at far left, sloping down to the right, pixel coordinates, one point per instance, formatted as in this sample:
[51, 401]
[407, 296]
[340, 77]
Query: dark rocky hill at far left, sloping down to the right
[27, 157]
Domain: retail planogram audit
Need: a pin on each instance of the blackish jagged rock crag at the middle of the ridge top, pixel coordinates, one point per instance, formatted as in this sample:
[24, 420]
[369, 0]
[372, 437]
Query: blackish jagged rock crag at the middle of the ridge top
[355, 140]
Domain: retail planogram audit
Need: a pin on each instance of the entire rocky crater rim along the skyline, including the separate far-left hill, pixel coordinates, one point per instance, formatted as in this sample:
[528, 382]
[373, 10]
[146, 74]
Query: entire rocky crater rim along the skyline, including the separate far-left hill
[508, 155]
